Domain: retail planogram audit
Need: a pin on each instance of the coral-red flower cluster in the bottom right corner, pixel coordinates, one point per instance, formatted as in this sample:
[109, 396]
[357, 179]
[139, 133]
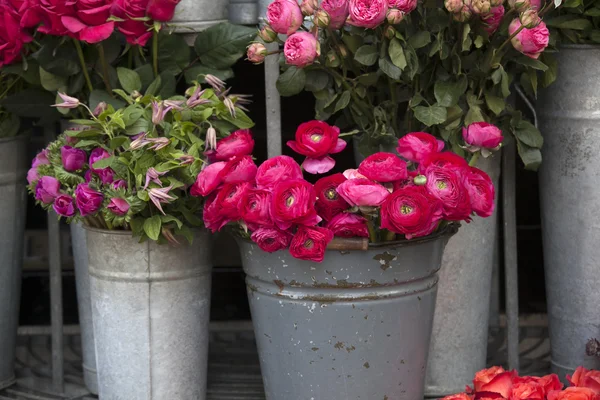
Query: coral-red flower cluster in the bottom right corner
[496, 383]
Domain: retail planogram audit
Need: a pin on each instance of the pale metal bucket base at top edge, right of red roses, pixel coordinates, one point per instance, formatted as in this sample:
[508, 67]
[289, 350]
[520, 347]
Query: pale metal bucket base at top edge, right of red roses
[196, 15]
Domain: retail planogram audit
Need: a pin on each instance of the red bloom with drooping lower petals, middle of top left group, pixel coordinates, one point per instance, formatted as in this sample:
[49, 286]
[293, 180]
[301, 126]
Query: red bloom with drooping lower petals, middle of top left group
[89, 22]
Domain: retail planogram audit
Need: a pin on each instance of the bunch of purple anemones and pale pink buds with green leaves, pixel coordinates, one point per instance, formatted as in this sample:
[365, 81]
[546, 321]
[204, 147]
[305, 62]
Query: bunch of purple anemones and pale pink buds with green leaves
[131, 169]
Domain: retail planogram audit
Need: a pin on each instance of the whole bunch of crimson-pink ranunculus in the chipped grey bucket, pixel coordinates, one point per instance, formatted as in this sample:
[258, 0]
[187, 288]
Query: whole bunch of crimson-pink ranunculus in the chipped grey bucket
[408, 195]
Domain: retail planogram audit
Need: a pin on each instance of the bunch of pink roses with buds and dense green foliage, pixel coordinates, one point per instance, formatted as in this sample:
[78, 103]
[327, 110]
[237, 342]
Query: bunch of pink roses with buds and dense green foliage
[388, 67]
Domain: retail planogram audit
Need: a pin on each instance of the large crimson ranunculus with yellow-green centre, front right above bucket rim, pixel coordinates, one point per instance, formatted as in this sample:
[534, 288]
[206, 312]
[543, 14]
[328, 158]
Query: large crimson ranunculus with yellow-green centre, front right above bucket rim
[411, 211]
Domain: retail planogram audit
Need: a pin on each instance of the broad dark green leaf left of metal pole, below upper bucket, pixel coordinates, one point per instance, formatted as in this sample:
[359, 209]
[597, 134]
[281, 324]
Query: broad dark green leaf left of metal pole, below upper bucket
[220, 46]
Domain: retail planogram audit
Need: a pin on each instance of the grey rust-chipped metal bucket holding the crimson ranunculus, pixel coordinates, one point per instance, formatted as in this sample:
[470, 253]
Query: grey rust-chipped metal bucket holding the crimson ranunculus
[356, 326]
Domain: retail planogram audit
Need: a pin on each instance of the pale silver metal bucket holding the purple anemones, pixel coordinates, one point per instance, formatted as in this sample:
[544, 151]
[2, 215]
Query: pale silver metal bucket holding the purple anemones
[151, 306]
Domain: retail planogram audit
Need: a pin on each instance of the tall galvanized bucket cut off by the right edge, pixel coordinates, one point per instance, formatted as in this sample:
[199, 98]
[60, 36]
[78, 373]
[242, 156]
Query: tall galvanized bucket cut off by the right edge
[569, 118]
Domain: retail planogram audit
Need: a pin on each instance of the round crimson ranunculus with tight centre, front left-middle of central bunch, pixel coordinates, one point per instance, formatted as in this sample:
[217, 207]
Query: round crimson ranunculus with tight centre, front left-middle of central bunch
[293, 203]
